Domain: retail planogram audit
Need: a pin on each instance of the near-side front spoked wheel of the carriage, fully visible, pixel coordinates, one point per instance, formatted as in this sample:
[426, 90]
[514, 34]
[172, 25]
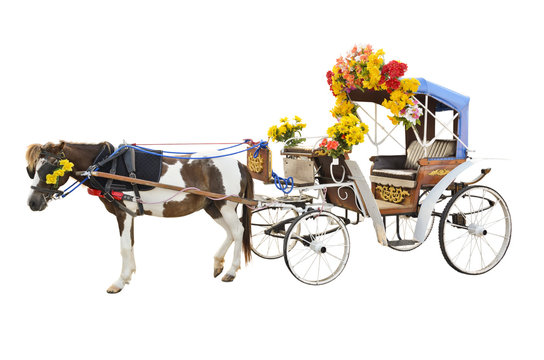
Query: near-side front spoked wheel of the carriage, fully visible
[316, 247]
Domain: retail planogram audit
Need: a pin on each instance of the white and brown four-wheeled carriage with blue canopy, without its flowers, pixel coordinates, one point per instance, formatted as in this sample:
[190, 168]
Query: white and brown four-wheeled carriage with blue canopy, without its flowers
[405, 194]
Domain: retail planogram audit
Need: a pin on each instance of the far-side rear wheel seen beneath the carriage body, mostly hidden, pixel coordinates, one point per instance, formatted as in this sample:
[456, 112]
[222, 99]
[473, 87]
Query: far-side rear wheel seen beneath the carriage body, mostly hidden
[403, 239]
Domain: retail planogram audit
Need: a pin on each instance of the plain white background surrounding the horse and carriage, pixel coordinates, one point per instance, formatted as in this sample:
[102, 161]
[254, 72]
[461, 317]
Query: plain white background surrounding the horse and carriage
[170, 71]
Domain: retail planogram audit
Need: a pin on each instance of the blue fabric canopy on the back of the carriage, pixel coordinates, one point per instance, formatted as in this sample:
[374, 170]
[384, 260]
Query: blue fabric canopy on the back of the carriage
[450, 100]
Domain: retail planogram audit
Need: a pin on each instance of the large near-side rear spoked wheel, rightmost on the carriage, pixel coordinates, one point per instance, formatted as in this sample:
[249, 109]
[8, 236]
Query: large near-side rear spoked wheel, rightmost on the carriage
[475, 230]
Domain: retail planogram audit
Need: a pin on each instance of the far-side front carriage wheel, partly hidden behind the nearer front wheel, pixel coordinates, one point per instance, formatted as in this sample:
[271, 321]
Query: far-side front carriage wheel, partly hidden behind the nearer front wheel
[266, 241]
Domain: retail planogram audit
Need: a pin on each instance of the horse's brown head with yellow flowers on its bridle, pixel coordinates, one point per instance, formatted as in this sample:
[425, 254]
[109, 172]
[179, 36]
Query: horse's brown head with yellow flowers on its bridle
[48, 167]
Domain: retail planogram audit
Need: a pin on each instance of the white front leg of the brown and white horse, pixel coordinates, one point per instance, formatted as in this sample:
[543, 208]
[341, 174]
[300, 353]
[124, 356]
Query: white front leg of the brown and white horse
[126, 230]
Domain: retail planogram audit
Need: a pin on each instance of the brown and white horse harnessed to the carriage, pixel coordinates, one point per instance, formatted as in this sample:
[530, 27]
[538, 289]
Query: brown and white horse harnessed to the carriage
[219, 175]
